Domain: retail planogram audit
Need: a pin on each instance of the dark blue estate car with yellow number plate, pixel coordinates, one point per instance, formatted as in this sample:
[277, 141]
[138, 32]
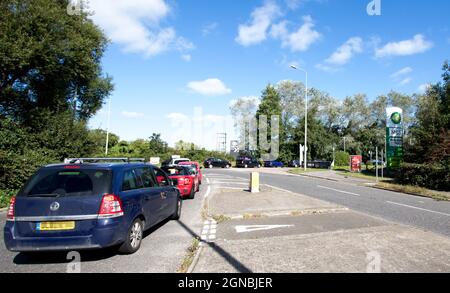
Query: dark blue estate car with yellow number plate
[80, 205]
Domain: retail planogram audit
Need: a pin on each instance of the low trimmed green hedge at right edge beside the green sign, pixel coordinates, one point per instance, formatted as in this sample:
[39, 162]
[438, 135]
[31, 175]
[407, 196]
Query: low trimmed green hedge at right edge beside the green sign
[436, 177]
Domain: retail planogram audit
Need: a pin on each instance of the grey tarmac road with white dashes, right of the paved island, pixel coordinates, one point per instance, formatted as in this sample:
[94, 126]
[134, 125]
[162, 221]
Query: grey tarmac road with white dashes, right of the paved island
[419, 212]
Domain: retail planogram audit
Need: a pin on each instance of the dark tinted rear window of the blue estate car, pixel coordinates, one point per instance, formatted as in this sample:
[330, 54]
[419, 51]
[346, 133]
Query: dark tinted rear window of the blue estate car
[68, 182]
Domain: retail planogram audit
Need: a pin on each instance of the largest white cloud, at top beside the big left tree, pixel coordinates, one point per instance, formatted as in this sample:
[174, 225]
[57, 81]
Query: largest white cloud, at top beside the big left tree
[135, 25]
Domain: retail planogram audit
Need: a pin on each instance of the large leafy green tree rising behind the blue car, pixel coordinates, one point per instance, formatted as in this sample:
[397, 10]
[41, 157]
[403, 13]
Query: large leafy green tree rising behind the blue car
[47, 57]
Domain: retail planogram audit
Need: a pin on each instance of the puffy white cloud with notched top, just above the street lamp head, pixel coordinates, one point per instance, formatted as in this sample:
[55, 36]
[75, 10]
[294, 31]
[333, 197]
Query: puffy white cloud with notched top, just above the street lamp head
[297, 41]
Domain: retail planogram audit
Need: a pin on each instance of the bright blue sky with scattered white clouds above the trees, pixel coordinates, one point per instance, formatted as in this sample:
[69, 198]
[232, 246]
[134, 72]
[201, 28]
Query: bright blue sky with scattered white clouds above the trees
[178, 65]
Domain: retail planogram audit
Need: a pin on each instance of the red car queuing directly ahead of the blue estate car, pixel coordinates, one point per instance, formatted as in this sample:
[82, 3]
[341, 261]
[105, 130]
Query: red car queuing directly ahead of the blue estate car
[186, 179]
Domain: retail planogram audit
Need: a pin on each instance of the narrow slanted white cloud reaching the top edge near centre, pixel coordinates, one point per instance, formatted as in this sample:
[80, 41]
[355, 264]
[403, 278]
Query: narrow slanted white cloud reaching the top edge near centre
[255, 31]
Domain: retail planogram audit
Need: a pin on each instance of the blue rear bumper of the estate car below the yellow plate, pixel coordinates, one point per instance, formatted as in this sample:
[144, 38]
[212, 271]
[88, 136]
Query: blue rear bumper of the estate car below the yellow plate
[107, 233]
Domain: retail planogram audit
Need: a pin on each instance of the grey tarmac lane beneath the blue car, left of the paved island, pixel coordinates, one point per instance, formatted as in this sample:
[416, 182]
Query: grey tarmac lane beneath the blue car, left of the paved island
[162, 250]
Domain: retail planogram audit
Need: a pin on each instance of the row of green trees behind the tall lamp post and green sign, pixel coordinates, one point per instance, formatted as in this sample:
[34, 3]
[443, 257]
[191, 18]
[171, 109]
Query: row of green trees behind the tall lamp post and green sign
[357, 126]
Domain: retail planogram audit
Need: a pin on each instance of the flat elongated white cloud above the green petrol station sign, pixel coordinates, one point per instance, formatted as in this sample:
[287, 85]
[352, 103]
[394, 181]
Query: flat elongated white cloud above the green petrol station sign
[416, 45]
